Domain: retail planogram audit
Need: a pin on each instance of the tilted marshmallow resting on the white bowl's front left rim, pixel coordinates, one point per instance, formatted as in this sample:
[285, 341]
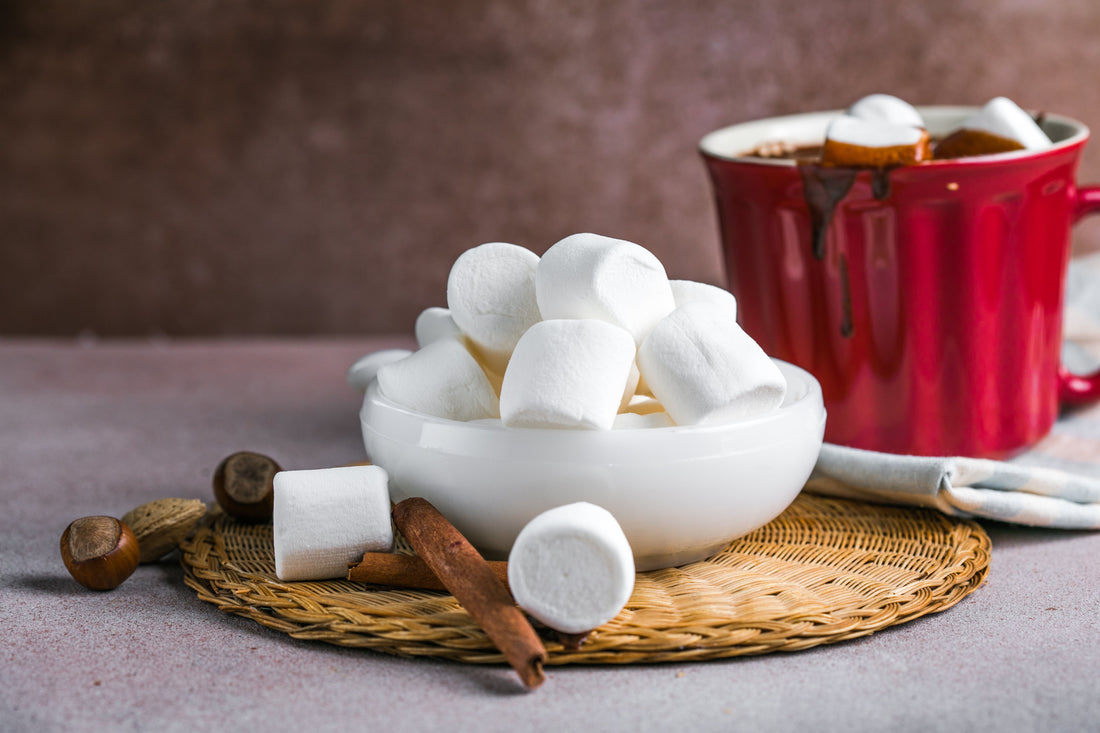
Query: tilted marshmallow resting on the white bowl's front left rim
[443, 379]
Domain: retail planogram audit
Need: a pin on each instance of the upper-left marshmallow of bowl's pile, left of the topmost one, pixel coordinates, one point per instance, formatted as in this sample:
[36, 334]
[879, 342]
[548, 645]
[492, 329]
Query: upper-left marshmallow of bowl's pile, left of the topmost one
[491, 297]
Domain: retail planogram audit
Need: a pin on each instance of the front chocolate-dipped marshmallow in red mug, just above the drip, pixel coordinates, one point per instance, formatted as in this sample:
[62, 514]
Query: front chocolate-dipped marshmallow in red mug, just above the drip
[857, 143]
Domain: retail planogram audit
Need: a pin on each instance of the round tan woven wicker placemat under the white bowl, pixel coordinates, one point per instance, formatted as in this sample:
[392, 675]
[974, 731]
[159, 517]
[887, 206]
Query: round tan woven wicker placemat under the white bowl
[824, 572]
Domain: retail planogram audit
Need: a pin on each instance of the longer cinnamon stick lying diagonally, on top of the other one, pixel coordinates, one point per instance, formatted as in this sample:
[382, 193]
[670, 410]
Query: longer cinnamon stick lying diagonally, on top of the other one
[466, 574]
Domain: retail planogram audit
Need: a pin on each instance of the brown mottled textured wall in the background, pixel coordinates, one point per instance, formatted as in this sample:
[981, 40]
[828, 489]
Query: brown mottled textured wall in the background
[200, 168]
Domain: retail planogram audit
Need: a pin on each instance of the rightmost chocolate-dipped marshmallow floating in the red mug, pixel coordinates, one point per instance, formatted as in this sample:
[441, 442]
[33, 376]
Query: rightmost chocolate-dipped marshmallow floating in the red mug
[1002, 126]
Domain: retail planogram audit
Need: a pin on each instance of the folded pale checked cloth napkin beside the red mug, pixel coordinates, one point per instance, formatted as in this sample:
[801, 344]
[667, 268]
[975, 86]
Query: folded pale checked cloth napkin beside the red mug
[1054, 485]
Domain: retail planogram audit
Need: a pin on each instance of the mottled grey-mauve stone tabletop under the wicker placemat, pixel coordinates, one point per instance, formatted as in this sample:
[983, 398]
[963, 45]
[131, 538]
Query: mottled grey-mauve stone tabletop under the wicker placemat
[98, 428]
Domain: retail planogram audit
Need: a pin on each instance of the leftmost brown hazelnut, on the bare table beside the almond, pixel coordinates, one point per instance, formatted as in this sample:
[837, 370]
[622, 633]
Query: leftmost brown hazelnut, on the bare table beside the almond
[100, 552]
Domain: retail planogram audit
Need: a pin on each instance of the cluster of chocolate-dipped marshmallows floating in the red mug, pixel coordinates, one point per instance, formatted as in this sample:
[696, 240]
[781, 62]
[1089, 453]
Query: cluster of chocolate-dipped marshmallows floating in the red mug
[883, 130]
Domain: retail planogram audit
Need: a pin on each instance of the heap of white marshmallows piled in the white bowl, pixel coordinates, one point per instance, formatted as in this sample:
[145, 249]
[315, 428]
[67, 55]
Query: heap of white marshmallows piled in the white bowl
[593, 335]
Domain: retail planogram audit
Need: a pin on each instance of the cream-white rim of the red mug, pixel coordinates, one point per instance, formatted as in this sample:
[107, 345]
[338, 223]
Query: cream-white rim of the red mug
[716, 144]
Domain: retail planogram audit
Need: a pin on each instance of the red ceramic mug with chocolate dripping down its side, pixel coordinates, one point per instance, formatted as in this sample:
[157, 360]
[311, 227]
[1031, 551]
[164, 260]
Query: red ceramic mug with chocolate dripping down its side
[927, 300]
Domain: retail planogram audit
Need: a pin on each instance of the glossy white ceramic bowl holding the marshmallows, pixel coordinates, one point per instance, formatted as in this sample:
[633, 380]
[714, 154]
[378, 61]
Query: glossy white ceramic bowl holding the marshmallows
[680, 494]
